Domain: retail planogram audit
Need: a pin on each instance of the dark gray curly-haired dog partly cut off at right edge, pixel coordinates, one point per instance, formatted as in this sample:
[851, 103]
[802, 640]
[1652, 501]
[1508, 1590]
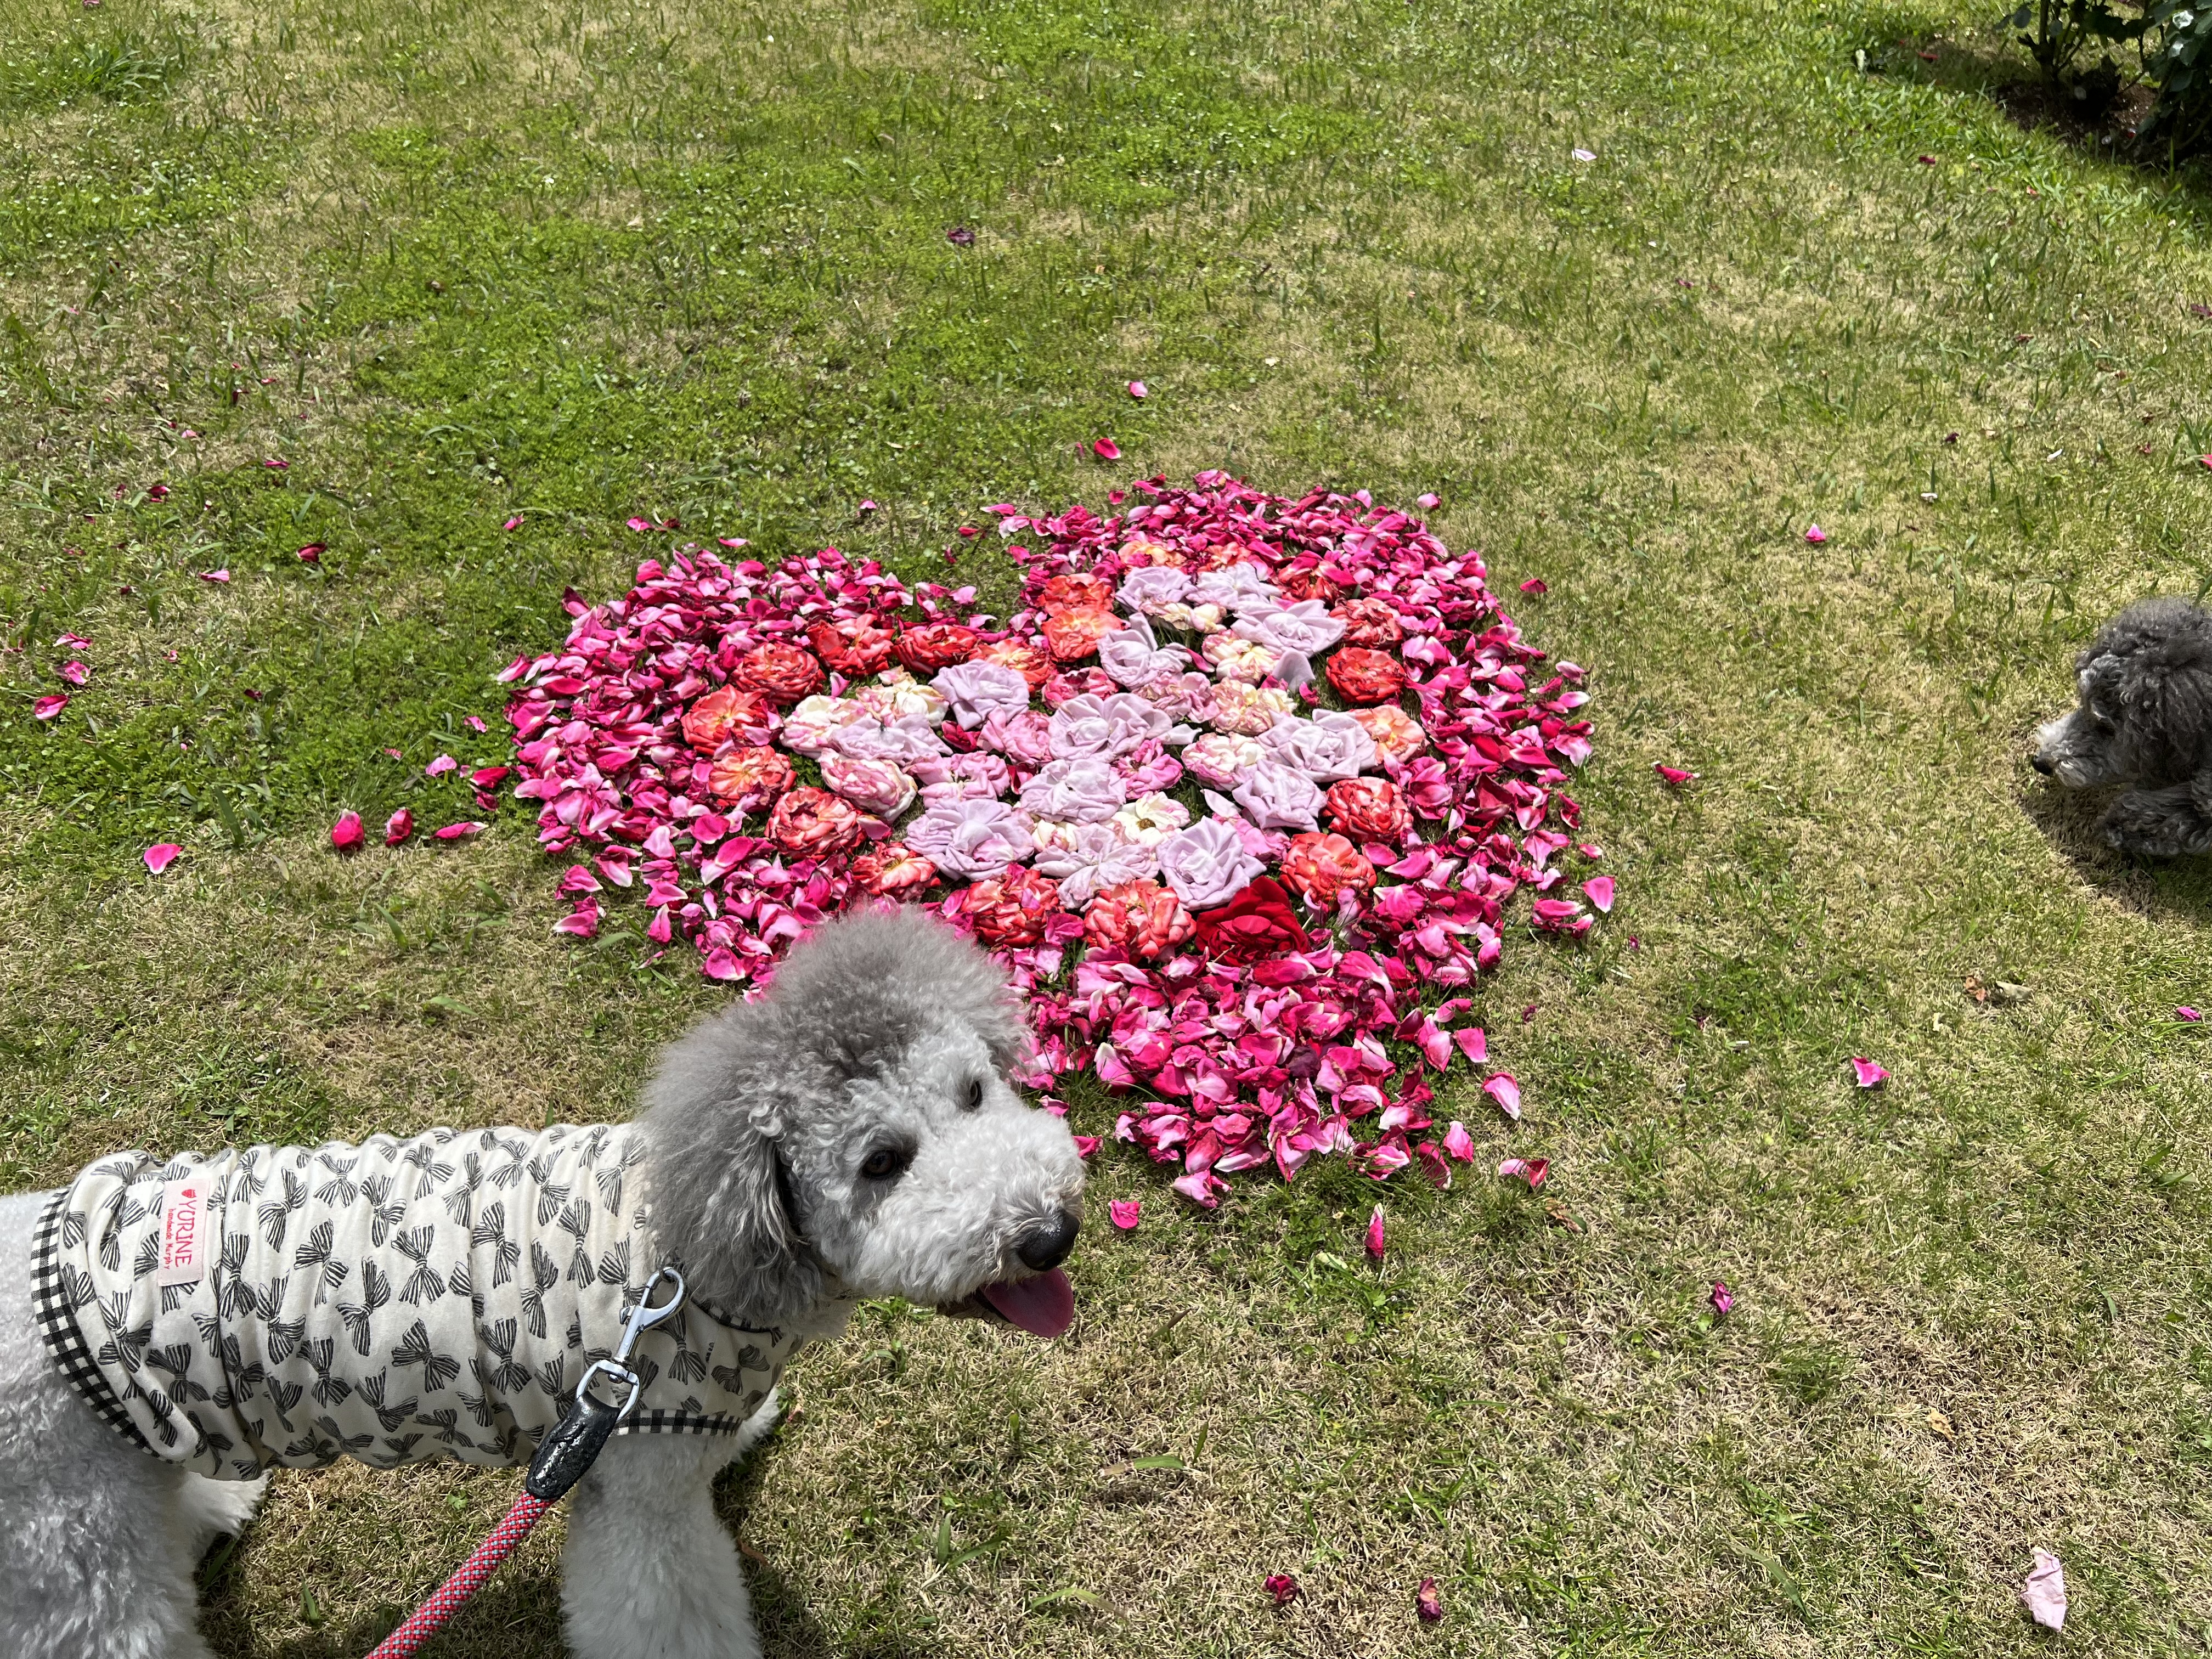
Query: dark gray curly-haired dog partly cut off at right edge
[2145, 720]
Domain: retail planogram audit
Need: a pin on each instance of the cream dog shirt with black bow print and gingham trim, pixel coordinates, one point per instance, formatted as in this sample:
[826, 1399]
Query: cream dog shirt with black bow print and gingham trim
[393, 1302]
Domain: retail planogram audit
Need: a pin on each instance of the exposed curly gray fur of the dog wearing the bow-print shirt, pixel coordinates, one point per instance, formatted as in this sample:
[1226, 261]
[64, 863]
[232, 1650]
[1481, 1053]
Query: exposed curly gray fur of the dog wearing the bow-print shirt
[884, 1034]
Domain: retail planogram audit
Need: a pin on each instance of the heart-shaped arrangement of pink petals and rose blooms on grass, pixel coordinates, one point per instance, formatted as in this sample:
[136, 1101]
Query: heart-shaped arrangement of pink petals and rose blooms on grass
[1235, 782]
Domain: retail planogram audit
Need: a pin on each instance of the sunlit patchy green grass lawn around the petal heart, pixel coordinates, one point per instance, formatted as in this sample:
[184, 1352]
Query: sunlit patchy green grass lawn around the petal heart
[457, 262]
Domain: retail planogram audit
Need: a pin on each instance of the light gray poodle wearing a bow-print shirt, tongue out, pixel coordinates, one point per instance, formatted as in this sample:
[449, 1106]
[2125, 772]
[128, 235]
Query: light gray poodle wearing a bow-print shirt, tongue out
[169, 1333]
